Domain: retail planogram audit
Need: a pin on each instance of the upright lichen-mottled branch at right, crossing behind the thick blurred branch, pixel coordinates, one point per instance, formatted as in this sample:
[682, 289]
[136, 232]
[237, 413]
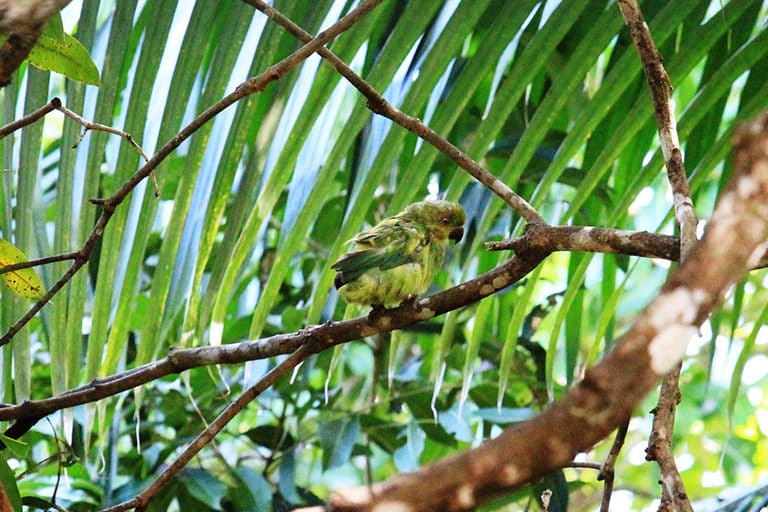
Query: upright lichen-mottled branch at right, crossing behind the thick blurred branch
[660, 442]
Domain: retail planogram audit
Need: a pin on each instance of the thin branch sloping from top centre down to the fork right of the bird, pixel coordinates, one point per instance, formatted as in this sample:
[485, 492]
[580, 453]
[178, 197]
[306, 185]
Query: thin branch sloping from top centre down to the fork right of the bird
[378, 105]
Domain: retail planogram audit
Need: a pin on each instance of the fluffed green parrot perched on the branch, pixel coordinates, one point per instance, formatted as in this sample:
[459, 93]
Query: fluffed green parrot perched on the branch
[397, 258]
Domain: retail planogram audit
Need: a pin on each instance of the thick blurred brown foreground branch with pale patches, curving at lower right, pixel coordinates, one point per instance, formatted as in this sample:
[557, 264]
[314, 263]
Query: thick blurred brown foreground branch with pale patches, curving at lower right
[734, 238]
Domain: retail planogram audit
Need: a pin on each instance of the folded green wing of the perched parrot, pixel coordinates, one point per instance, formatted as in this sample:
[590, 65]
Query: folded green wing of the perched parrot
[387, 245]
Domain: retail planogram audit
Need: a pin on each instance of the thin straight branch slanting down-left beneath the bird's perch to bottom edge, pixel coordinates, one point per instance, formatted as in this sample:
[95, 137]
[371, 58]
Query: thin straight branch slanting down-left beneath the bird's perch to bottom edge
[142, 499]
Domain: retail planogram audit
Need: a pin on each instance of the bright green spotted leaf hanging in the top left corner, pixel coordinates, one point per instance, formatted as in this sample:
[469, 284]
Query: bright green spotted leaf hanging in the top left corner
[67, 57]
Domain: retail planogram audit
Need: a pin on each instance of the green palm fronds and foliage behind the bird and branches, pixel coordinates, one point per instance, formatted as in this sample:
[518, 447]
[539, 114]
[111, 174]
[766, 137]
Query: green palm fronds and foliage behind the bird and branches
[256, 206]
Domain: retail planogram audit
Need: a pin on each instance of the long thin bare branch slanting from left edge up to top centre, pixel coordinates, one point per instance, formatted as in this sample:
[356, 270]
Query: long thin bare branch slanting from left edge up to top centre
[250, 86]
